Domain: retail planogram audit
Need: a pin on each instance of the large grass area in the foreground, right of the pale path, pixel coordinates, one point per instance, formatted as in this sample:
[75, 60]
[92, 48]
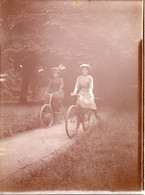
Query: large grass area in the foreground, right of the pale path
[101, 159]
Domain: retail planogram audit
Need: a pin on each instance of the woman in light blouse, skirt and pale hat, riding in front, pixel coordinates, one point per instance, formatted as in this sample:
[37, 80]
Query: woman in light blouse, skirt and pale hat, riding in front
[84, 85]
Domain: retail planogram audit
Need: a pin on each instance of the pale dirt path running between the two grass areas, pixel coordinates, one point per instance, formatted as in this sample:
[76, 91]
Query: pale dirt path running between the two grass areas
[29, 147]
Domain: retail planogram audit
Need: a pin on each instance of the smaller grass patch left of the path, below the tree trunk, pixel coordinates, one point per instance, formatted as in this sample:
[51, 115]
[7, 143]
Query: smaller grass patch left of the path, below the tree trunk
[18, 118]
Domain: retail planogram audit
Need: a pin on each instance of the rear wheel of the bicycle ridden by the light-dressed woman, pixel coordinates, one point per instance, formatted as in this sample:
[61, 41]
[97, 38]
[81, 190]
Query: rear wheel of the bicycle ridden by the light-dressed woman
[86, 119]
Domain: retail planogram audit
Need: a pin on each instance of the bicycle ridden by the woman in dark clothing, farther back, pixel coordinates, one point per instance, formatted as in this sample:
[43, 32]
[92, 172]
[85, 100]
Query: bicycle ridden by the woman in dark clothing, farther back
[47, 114]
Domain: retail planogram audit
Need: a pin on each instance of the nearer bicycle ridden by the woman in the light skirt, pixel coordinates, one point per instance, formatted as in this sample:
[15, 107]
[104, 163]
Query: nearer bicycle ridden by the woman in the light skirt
[75, 116]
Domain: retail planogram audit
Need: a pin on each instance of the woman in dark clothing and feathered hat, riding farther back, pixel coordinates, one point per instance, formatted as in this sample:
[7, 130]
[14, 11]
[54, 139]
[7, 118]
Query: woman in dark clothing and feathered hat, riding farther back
[55, 86]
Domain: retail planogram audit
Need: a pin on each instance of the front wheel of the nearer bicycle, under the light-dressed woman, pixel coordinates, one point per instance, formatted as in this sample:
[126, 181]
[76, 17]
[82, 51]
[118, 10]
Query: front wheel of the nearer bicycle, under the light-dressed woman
[71, 121]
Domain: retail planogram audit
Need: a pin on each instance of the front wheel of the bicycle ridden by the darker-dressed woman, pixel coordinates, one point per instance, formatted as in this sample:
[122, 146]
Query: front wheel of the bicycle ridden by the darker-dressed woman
[46, 116]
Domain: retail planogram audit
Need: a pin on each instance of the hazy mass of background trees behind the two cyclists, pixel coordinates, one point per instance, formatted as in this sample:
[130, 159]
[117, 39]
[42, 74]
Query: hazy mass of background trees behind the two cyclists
[48, 33]
